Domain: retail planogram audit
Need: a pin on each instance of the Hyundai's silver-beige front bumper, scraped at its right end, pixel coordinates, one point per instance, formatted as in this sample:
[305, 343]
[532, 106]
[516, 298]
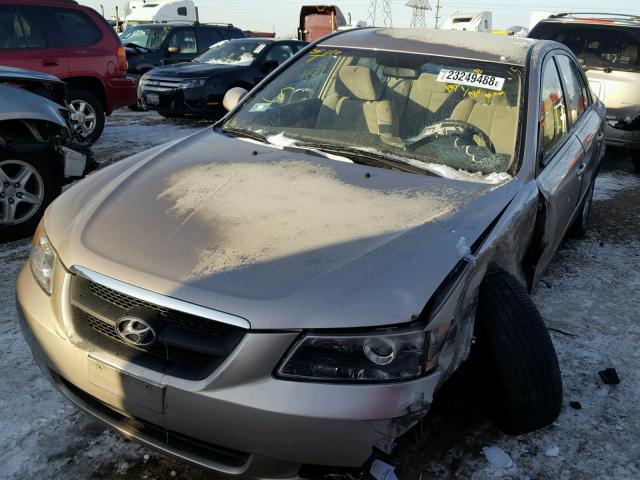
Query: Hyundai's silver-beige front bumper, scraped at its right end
[240, 420]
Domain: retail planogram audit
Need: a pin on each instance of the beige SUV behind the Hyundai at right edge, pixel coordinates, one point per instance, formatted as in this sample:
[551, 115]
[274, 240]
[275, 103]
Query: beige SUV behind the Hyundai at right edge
[608, 47]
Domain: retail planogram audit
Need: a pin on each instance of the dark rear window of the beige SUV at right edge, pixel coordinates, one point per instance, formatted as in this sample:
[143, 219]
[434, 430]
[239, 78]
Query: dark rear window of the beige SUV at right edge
[598, 46]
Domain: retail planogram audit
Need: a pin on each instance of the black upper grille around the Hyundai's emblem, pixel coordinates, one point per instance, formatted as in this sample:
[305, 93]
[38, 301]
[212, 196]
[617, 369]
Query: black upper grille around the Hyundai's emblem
[187, 346]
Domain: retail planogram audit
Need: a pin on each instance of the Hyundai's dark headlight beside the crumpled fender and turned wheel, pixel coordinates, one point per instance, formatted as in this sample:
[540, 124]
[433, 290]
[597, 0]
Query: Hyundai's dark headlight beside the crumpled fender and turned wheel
[379, 357]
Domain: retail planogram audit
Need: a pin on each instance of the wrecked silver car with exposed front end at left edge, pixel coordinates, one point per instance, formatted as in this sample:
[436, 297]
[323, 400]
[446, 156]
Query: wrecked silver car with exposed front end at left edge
[39, 150]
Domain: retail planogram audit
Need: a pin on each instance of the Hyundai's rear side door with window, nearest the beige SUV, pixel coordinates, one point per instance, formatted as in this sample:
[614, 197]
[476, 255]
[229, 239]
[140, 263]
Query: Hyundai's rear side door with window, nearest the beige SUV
[585, 118]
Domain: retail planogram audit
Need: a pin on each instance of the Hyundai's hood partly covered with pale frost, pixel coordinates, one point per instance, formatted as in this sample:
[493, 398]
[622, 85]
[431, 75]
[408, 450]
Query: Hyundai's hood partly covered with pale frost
[284, 240]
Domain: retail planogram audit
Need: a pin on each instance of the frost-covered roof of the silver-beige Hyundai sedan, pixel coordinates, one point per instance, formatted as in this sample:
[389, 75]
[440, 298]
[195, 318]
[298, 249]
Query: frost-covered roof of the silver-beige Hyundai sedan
[447, 43]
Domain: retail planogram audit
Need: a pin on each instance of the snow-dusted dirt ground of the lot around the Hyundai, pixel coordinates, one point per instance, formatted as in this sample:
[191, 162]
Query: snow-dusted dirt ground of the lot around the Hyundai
[588, 297]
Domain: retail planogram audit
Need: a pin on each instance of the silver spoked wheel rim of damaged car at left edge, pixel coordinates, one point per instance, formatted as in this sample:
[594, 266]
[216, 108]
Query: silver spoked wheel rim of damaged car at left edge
[21, 191]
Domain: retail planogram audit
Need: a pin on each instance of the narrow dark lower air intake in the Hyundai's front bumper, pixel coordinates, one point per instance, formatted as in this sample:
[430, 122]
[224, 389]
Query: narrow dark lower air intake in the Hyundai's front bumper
[154, 434]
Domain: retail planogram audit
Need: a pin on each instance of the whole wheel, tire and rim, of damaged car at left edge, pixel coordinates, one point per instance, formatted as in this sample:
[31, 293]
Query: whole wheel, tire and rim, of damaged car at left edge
[29, 182]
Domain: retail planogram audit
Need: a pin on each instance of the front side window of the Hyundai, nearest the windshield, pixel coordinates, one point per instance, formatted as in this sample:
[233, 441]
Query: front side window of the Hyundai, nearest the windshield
[553, 114]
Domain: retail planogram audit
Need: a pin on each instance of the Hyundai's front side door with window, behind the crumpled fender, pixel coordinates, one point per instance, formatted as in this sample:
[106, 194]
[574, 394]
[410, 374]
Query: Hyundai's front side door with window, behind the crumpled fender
[561, 159]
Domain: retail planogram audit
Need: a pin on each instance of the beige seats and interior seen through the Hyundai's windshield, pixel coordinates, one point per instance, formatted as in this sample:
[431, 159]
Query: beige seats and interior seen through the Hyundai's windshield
[396, 103]
